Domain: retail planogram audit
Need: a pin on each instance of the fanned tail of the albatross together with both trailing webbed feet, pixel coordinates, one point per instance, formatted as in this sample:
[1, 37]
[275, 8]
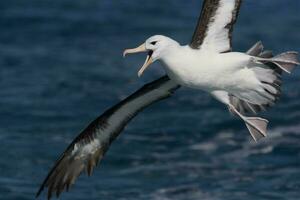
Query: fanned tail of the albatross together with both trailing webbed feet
[268, 70]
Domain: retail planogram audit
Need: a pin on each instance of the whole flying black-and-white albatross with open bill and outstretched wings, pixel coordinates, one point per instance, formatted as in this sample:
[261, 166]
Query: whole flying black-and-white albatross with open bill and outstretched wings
[246, 83]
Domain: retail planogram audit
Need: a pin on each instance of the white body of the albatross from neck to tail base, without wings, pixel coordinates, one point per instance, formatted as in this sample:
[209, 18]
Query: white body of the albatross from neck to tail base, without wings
[211, 71]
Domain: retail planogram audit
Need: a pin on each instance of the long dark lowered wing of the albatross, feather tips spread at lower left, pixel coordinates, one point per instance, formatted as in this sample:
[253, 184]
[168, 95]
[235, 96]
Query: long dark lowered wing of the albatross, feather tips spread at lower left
[91, 144]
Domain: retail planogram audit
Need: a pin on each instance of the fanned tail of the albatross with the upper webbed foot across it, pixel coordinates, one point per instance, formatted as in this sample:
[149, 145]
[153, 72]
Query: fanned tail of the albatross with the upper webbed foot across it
[268, 69]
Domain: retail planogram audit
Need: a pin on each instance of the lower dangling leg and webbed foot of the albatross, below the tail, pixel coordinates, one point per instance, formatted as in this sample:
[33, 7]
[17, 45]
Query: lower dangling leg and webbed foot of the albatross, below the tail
[257, 126]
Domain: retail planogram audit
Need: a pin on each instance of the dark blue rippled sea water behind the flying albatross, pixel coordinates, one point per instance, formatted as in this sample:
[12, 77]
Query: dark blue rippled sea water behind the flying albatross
[61, 66]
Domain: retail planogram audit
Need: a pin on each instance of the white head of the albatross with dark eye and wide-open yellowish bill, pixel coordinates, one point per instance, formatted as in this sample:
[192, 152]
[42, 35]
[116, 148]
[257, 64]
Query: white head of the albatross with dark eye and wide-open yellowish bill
[157, 47]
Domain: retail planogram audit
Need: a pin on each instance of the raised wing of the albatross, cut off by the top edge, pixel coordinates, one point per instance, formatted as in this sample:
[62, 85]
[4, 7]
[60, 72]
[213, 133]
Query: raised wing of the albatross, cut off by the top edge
[215, 25]
